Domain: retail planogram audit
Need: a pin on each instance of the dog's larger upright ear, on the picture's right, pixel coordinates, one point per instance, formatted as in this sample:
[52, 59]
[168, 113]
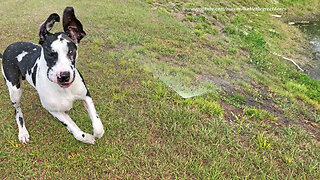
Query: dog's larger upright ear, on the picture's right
[72, 26]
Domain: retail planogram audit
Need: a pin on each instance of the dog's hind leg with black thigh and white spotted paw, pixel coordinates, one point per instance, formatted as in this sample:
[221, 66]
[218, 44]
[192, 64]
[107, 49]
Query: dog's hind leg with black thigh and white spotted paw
[13, 81]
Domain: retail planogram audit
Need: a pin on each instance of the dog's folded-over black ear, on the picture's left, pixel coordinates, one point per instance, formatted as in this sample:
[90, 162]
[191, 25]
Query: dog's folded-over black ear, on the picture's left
[47, 26]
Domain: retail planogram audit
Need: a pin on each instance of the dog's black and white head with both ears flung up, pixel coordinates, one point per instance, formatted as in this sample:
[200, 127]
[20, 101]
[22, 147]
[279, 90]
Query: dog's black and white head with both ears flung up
[60, 49]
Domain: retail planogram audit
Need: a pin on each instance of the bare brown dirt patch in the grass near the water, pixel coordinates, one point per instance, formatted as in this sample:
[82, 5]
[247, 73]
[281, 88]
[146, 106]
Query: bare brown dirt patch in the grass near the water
[264, 102]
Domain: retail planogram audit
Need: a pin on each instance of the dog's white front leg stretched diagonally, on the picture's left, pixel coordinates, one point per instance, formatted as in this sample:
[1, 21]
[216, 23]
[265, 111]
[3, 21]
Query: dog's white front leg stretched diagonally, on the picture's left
[73, 128]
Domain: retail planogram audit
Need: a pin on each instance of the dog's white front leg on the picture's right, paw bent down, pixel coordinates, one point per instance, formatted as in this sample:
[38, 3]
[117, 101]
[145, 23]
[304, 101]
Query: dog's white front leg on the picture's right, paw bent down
[98, 130]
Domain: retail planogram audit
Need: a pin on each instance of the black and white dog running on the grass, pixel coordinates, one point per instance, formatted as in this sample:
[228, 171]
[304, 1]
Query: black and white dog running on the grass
[50, 69]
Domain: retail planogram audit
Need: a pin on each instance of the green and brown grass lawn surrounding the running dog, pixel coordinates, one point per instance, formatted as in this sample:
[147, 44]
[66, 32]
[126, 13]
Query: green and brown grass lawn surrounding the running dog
[257, 117]
